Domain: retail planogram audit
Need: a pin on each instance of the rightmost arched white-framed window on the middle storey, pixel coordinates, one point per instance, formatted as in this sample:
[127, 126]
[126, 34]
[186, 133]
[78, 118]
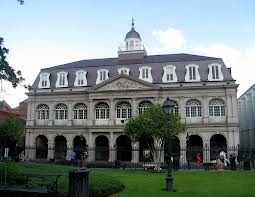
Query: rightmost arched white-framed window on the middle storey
[216, 107]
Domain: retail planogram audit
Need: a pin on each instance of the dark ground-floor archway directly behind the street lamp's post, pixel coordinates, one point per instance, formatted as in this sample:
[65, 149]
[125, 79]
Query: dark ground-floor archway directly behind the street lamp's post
[175, 152]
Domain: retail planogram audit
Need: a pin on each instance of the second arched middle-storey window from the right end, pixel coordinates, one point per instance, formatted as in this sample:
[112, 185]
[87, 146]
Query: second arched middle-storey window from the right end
[193, 108]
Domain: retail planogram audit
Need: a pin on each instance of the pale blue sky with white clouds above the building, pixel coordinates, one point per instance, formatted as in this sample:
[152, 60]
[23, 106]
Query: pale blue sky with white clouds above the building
[46, 33]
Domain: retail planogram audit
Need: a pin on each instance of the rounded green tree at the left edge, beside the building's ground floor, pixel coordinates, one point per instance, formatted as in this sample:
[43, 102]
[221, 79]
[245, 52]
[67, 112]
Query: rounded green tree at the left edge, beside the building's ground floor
[11, 128]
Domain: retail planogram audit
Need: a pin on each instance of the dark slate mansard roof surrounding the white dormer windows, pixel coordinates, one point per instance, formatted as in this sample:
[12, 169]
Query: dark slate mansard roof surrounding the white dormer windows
[156, 62]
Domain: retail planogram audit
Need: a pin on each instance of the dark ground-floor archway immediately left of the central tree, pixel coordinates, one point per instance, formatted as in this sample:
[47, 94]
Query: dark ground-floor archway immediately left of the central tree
[124, 148]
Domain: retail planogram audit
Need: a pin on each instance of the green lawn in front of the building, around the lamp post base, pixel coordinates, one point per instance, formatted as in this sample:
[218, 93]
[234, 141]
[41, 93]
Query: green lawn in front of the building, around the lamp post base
[145, 183]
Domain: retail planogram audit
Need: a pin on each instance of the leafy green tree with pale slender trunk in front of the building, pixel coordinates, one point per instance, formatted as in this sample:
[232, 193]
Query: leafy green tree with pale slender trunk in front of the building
[154, 123]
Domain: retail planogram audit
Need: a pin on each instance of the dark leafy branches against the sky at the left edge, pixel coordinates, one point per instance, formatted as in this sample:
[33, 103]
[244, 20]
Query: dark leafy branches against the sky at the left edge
[6, 71]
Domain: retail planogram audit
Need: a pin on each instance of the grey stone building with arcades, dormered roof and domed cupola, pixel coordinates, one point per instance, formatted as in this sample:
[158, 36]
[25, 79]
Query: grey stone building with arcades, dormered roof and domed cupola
[85, 104]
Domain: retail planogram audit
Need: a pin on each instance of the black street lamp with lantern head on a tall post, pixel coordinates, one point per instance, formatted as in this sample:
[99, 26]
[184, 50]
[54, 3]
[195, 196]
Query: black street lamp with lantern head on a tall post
[168, 106]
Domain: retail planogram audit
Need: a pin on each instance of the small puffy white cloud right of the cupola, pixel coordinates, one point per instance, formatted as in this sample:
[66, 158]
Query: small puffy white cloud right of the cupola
[169, 39]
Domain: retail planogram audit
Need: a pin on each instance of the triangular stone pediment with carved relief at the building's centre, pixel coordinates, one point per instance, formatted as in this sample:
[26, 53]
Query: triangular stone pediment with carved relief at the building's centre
[122, 82]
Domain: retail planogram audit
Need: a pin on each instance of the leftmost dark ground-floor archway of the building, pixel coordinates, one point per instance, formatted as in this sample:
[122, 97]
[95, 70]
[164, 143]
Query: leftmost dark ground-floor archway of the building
[41, 144]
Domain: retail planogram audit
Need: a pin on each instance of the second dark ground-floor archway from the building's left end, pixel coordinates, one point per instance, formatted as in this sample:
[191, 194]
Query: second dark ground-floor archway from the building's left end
[60, 148]
